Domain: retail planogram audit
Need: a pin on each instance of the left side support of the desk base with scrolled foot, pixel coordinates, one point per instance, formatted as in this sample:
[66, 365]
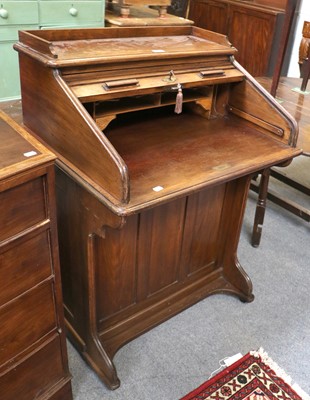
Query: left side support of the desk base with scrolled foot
[79, 224]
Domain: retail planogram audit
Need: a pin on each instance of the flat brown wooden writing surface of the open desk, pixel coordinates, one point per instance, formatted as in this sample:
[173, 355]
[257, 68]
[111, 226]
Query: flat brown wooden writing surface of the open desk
[182, 152]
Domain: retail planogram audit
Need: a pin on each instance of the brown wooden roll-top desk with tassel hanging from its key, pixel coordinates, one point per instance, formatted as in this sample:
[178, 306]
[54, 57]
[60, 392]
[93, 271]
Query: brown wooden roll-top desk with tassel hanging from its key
[150, 199]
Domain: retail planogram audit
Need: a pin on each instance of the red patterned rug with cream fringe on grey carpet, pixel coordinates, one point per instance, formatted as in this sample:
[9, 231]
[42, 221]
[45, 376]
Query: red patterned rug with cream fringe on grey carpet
[253, 377]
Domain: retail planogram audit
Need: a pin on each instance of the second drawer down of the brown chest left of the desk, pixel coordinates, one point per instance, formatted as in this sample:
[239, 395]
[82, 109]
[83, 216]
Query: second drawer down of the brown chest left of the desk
[24, 264]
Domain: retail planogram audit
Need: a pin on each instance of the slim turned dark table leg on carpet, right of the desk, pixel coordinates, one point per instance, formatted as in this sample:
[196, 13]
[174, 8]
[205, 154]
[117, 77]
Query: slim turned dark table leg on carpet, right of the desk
[260, 208]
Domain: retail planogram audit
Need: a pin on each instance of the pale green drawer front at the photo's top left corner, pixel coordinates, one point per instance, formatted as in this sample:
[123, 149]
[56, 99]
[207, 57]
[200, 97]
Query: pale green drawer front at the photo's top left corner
[19, 12]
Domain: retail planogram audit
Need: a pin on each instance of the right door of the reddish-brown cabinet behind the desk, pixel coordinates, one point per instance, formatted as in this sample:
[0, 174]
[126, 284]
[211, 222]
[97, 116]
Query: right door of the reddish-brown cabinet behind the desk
[252, 32]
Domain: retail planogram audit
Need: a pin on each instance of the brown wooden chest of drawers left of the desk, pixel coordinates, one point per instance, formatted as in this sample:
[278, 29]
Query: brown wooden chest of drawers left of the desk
[33, 360]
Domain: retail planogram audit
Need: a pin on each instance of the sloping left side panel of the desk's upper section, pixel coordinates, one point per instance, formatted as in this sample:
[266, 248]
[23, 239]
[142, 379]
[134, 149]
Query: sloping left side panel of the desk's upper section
[52, 112]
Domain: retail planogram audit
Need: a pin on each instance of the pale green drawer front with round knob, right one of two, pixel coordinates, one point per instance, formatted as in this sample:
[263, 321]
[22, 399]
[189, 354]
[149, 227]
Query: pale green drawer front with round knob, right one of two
[70, 13]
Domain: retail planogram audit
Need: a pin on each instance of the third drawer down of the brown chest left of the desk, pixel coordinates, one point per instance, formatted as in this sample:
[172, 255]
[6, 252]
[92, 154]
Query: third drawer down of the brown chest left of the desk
[25, 320]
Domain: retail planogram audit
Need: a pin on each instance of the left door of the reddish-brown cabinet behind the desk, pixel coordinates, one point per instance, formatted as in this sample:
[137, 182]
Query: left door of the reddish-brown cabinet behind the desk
[211, 15]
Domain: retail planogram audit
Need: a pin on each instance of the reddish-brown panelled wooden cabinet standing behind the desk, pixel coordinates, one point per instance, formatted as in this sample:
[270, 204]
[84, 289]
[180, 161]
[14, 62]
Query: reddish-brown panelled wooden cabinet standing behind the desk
[252, 26]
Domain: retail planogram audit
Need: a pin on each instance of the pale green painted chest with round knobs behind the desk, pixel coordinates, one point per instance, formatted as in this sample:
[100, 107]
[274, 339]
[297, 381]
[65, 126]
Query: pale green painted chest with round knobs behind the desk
[38, 14]
